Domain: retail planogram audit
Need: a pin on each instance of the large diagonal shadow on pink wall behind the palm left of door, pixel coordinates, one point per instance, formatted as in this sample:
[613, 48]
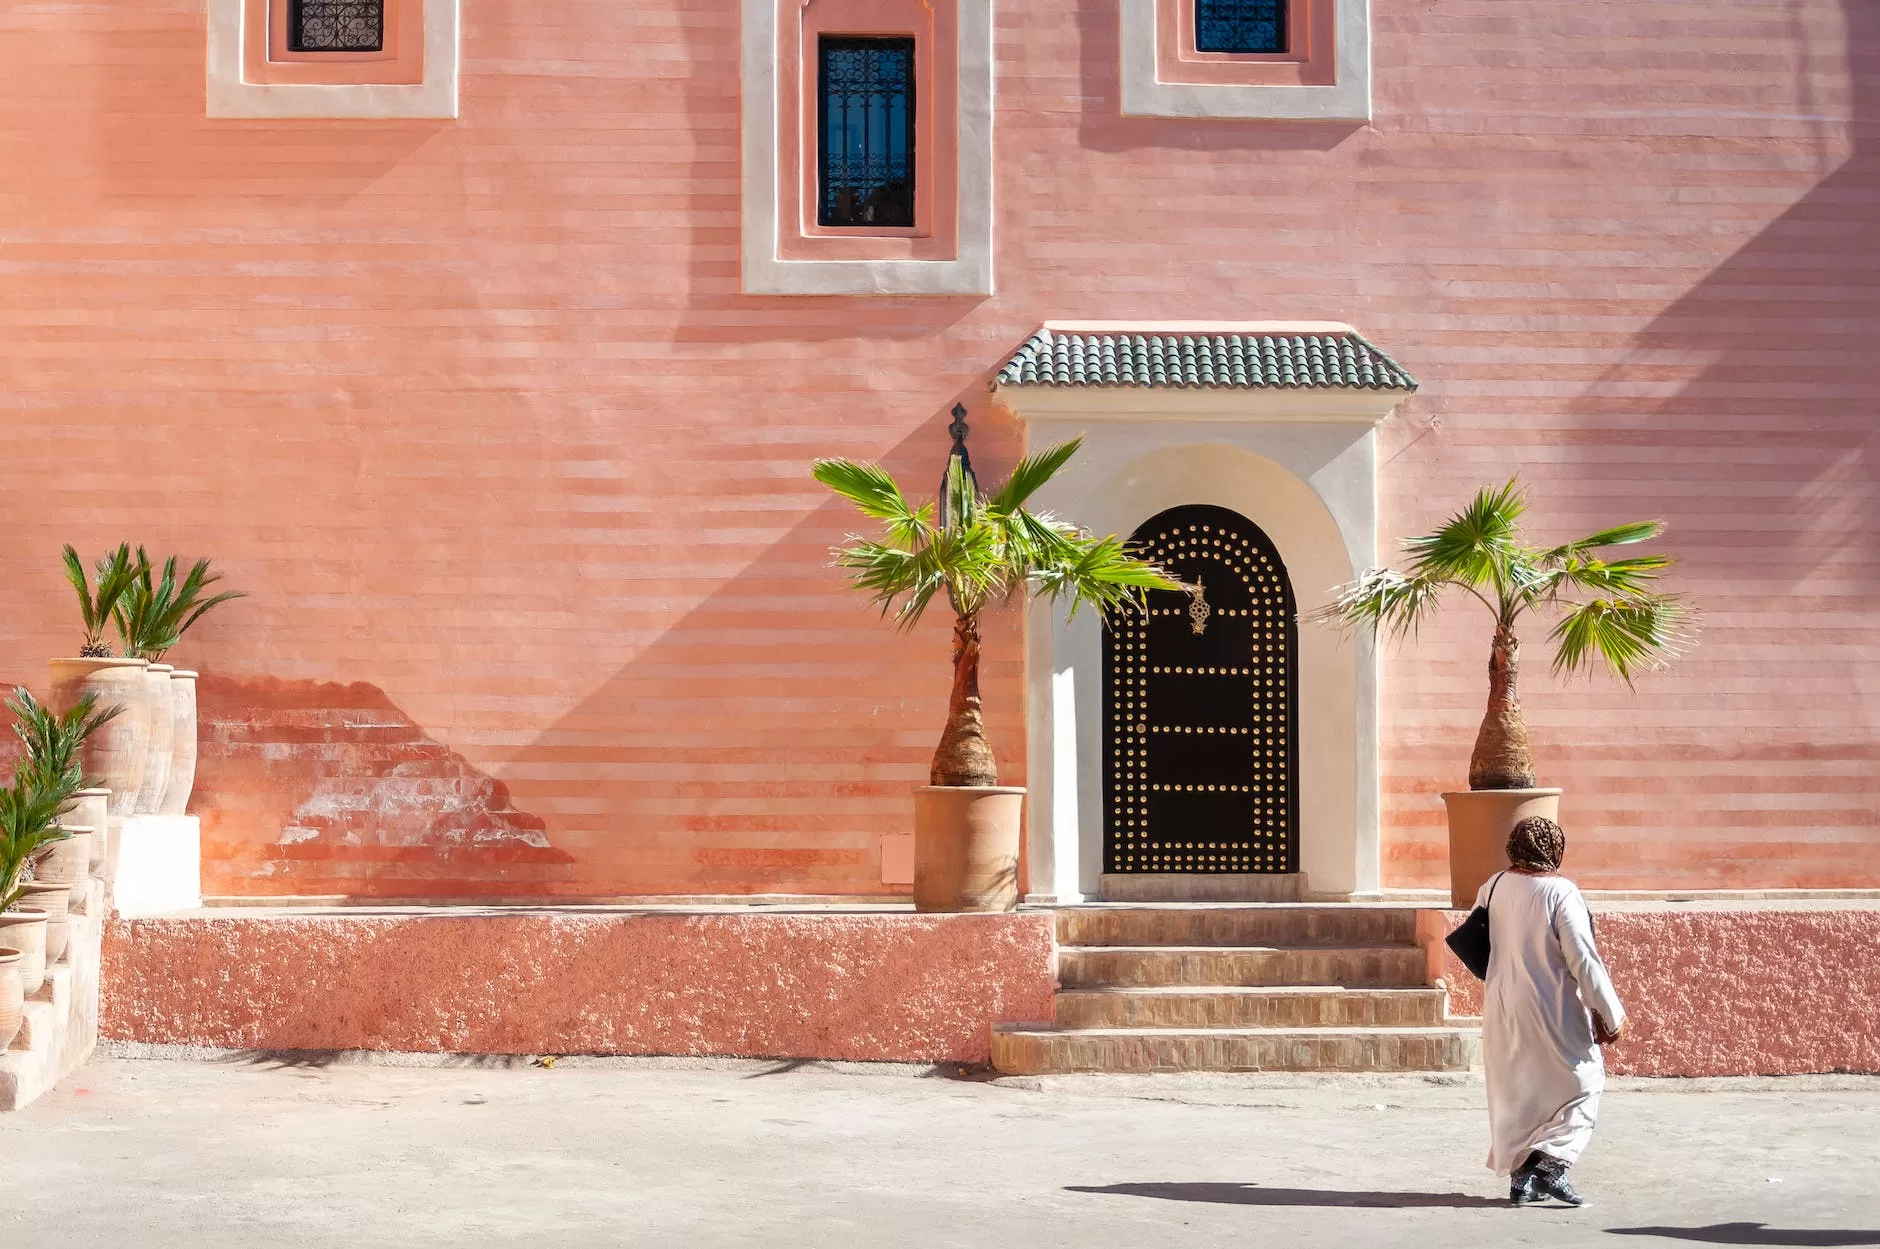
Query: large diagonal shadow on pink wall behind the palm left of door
[766, 740]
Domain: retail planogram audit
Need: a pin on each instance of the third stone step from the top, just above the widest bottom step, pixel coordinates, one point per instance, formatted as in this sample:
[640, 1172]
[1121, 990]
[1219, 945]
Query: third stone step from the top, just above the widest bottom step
[1244, 1007]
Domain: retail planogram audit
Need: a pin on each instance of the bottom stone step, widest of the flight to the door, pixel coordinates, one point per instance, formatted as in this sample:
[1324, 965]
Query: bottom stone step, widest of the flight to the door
[1022, 1051]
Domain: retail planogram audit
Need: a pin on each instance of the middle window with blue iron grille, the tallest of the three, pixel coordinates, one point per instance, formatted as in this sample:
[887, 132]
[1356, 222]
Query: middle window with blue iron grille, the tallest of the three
[866, 157]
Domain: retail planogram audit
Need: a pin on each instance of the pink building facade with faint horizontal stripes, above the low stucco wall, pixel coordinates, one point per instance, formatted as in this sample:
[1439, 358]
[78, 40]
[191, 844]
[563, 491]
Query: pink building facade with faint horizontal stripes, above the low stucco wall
[492, 366]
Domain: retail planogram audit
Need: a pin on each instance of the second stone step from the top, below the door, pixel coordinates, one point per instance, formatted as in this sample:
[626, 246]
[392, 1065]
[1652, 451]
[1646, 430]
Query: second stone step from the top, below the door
[1375, 968]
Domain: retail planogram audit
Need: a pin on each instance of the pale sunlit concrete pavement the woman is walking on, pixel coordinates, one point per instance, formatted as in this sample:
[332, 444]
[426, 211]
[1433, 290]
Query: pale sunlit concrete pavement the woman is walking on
[242, 1154]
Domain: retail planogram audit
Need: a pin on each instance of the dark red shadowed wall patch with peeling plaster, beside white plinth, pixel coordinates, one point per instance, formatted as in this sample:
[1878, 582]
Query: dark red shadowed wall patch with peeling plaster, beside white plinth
[356, 800]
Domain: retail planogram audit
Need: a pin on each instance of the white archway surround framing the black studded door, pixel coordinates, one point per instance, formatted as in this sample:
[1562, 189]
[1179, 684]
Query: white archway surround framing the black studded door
[1300, 464]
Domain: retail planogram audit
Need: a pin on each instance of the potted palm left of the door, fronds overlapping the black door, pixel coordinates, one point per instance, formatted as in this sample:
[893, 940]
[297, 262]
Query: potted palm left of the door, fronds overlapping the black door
[980, 552]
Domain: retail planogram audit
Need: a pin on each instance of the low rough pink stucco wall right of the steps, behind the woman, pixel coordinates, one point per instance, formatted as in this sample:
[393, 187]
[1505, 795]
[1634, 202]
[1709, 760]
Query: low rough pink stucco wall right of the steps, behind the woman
[1734, 992]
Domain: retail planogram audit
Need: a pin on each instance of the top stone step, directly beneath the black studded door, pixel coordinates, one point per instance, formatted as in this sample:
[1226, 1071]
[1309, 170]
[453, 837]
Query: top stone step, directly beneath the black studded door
[1238, 926]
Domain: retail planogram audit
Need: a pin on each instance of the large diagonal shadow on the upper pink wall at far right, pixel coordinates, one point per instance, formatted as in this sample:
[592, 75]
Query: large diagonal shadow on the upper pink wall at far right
[1785, 402]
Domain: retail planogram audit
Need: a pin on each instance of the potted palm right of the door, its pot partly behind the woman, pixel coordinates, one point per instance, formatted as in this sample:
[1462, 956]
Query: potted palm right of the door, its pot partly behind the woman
[1606, 614]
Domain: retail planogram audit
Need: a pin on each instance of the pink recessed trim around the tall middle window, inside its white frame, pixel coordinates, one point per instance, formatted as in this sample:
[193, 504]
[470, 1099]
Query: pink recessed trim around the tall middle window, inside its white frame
[935, 33]
